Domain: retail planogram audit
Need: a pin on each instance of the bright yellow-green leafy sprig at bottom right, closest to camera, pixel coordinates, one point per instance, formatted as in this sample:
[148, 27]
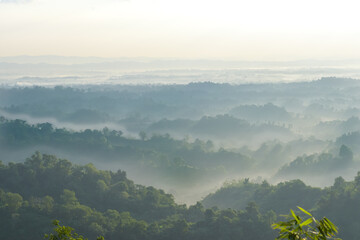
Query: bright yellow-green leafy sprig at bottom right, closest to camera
[296, 228]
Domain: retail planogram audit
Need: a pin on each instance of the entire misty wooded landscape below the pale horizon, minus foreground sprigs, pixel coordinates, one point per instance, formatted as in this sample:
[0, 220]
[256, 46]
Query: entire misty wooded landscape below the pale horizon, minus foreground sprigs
[206, 160]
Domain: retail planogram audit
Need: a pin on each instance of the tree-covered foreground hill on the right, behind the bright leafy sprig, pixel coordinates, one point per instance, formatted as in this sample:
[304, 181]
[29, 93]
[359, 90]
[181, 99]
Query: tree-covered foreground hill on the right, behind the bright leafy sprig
[340, 202]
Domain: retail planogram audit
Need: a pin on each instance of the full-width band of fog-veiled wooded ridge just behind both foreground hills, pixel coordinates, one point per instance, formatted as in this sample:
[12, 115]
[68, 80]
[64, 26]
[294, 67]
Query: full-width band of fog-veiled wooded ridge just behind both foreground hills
[178, 165]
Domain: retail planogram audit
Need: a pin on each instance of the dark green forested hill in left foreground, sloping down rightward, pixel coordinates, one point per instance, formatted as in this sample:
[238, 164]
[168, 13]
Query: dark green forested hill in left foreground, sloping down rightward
[97, 202]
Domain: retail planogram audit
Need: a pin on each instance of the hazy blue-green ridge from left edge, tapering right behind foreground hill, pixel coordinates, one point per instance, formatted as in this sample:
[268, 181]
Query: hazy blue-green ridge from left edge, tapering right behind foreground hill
[157, 160]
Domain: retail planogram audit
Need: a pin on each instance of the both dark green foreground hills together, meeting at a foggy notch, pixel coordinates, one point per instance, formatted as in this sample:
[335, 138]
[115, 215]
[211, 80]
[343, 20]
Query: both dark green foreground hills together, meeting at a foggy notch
[101, 202]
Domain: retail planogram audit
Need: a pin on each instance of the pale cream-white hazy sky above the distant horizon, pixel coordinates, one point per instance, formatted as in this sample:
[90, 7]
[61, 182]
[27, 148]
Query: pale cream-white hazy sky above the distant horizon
[227, 29]
